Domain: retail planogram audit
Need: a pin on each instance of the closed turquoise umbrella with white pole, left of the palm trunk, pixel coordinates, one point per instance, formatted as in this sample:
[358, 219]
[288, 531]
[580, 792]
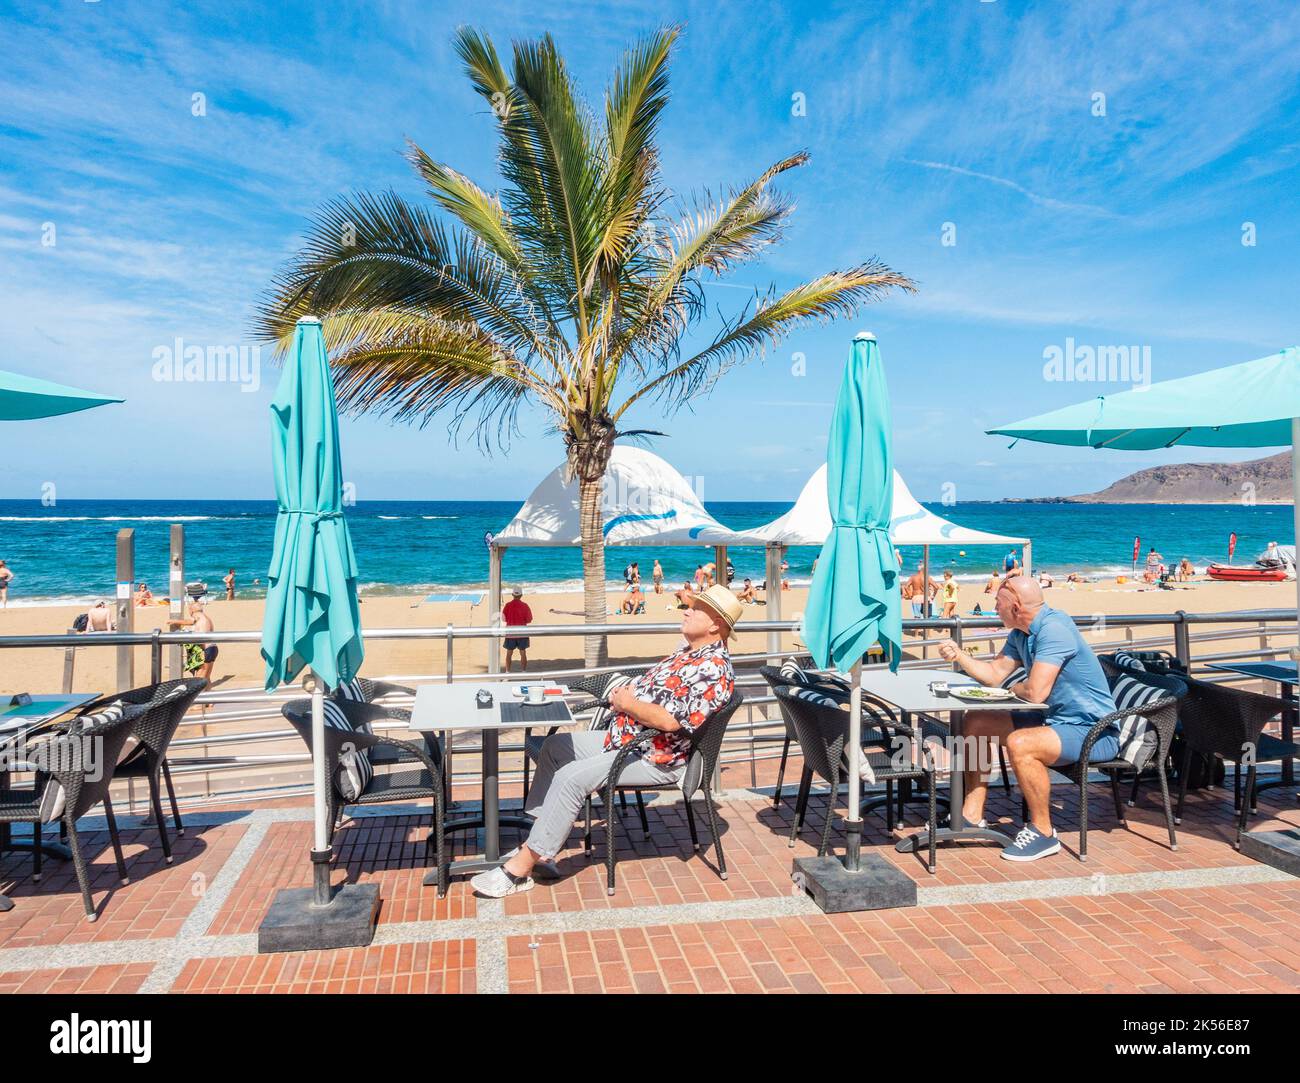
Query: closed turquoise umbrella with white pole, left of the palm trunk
[313, 621]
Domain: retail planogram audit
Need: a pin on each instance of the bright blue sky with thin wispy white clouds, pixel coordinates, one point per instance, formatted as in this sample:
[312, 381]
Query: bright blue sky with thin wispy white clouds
[1113, 229]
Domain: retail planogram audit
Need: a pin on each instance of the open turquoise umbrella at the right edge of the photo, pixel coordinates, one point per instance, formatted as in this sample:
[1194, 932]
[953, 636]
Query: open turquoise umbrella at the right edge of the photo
[1251, 405]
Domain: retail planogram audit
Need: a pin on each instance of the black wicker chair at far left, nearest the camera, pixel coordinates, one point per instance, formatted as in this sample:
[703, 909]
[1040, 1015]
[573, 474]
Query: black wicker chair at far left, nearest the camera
[80, 757]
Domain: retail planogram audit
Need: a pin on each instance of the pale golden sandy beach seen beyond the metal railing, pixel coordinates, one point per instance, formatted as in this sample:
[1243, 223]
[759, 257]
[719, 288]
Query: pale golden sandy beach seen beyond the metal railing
[240, 665]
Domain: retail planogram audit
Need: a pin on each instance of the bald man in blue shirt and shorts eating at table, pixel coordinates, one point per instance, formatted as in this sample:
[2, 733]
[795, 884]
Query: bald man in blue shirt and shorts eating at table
[1064, 674]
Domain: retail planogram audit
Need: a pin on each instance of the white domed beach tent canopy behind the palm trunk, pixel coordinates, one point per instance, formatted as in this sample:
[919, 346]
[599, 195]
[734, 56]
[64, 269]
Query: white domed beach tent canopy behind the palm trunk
[645, 502]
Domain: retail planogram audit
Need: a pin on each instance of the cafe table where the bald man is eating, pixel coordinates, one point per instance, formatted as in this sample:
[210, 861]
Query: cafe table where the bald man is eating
[909, 692]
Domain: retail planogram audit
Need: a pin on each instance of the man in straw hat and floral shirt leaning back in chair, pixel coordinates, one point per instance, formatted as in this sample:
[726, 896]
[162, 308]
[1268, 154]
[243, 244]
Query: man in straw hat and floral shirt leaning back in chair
[673, 699]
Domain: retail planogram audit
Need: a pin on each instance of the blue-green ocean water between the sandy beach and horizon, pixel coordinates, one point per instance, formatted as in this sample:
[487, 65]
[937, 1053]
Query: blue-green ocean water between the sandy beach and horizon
[66, 555]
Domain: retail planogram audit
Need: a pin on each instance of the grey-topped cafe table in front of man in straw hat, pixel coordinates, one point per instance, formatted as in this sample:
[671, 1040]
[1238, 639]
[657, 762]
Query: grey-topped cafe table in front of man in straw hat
[456, 708]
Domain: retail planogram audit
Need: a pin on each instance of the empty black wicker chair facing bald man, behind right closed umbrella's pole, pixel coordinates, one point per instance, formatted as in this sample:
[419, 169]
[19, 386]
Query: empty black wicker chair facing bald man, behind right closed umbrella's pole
[822, 731]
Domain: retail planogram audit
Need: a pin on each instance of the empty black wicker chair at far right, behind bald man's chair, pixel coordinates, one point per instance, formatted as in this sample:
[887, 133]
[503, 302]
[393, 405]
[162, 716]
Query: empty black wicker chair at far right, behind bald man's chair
[1229, 724]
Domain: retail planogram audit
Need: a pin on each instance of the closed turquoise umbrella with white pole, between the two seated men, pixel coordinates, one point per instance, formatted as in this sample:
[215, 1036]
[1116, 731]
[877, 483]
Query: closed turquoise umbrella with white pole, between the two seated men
[853, 601]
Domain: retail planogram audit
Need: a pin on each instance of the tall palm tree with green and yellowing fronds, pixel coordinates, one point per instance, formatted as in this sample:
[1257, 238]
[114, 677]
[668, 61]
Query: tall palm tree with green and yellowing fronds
[571, 288]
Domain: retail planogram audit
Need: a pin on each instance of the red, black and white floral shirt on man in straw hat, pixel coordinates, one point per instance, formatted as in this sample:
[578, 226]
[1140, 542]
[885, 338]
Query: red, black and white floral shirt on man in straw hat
[691, 686]
